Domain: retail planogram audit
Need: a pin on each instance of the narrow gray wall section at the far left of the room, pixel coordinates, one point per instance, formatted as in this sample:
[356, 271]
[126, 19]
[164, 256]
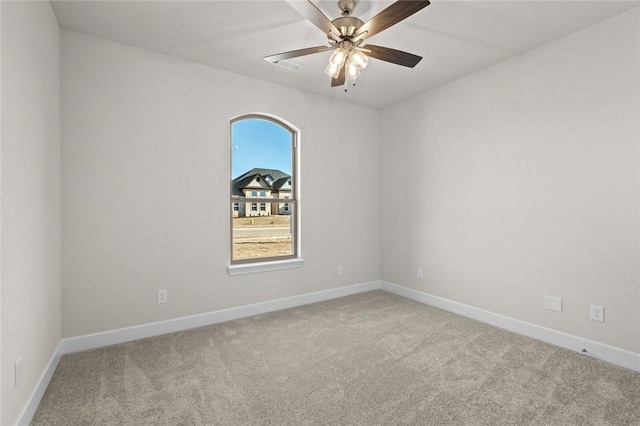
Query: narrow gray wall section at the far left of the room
[30, 197]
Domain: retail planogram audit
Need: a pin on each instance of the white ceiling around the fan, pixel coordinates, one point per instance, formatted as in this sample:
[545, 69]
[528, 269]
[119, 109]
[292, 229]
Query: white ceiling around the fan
[455, 38]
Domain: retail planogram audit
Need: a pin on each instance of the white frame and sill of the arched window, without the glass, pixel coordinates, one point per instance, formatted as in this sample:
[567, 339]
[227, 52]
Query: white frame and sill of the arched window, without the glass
[295, 260]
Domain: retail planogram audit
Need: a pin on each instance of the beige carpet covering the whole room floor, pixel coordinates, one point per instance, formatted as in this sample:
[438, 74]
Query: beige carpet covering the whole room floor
[369, 359]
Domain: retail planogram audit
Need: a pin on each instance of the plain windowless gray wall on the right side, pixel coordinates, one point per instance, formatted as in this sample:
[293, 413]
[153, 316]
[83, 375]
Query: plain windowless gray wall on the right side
[522, 180]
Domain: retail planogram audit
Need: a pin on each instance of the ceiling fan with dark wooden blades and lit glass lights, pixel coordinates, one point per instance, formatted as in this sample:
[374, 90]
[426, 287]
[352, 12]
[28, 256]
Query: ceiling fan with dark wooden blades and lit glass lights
[346, 34]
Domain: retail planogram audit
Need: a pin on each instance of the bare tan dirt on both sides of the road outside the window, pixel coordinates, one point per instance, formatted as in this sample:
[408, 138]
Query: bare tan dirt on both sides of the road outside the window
[261, 247]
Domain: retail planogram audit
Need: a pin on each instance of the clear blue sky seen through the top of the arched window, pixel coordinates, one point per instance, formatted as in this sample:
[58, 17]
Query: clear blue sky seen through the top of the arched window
[259, 143]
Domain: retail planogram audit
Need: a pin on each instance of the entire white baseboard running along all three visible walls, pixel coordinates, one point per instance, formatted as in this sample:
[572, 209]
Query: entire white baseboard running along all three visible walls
[608, 353]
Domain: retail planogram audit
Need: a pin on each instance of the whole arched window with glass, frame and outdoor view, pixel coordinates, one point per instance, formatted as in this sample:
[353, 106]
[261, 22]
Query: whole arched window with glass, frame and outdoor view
[264, 191]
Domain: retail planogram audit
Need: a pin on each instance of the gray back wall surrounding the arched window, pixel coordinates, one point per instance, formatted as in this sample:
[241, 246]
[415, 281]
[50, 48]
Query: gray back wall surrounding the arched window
[146, 187]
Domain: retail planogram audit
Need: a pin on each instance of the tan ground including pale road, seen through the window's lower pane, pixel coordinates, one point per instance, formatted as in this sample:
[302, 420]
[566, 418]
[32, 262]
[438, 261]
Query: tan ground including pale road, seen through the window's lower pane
[263, 236]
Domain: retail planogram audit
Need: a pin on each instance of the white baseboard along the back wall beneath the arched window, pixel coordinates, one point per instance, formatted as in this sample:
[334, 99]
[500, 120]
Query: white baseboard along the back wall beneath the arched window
[128, 334]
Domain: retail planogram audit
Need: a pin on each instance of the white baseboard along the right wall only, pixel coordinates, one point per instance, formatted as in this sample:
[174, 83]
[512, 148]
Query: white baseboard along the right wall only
[621, 357]
